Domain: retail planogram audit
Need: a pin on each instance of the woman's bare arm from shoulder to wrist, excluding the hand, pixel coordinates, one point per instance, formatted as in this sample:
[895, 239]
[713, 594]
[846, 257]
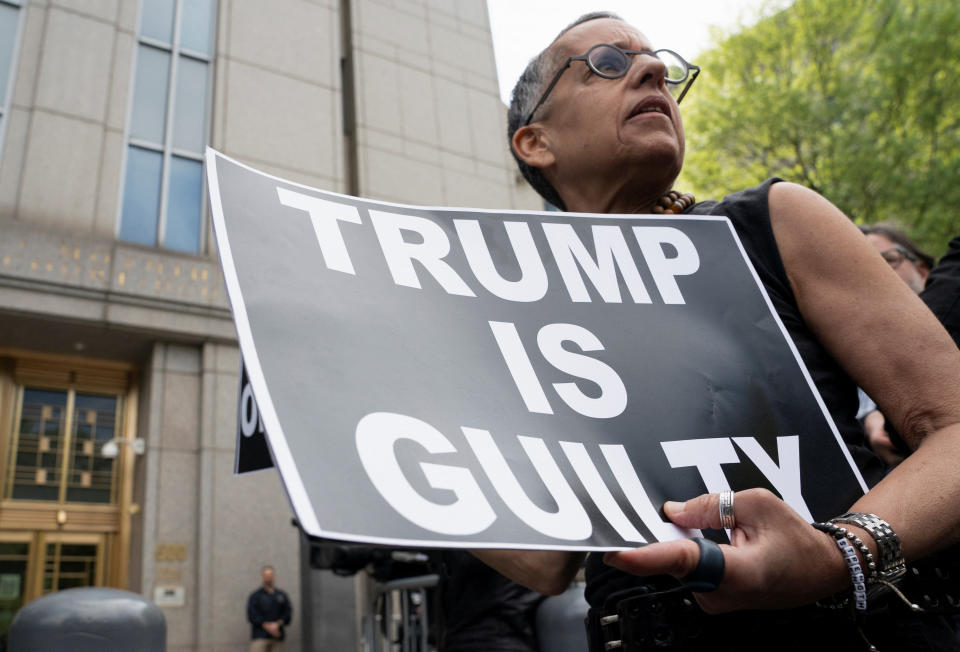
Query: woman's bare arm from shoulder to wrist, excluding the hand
[893, 346]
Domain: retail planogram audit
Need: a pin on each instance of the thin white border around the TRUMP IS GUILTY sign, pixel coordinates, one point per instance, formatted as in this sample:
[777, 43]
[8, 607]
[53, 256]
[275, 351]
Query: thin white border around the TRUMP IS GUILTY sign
[282, 457]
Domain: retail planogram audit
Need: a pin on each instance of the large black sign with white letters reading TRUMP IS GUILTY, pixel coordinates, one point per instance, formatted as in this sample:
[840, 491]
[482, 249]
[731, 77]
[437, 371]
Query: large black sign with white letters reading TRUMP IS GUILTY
[439, 377]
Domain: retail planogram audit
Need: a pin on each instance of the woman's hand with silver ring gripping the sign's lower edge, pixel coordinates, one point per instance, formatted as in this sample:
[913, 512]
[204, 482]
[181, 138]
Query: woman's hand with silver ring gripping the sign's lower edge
[775, 559]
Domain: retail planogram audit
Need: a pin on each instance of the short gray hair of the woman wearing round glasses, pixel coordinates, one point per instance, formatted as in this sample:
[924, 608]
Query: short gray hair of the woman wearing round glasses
[527, 91]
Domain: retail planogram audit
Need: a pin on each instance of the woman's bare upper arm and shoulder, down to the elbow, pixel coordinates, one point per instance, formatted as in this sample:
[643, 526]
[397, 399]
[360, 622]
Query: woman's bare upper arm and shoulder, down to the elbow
[864, 315]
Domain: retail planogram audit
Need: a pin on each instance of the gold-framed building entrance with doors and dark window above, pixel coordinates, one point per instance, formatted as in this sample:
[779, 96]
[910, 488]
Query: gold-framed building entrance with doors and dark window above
[65, 483]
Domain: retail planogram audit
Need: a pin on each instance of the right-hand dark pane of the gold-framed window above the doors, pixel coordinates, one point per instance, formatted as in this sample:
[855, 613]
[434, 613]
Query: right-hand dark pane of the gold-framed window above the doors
[90, 476]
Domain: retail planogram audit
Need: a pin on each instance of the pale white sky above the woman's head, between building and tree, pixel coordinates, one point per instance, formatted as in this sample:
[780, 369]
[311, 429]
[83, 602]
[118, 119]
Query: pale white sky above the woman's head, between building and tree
[521, 28]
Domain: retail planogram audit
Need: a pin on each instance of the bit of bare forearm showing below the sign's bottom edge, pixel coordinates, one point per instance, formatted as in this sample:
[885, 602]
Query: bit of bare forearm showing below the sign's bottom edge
[545, 571]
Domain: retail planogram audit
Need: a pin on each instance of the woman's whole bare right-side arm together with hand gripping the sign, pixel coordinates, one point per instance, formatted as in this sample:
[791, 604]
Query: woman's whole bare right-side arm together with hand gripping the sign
[887, 340]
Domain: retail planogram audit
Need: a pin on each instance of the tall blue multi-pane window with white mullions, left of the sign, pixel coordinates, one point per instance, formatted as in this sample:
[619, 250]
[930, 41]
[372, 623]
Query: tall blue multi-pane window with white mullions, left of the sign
[169, 117]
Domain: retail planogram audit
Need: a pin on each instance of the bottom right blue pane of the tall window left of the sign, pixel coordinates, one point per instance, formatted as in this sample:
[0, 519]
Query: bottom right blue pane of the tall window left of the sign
[184, 205]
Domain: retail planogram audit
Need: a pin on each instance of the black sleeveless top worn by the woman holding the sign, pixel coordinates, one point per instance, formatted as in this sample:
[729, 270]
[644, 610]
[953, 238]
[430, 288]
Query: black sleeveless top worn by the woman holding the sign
[749, 212]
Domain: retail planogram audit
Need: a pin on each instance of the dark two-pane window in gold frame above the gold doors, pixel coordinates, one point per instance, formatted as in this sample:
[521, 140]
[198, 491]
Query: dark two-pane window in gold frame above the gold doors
[56, 452]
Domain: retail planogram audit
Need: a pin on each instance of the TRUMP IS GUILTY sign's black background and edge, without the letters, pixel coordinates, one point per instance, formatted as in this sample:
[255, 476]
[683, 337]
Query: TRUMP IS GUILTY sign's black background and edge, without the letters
[325, 348]
